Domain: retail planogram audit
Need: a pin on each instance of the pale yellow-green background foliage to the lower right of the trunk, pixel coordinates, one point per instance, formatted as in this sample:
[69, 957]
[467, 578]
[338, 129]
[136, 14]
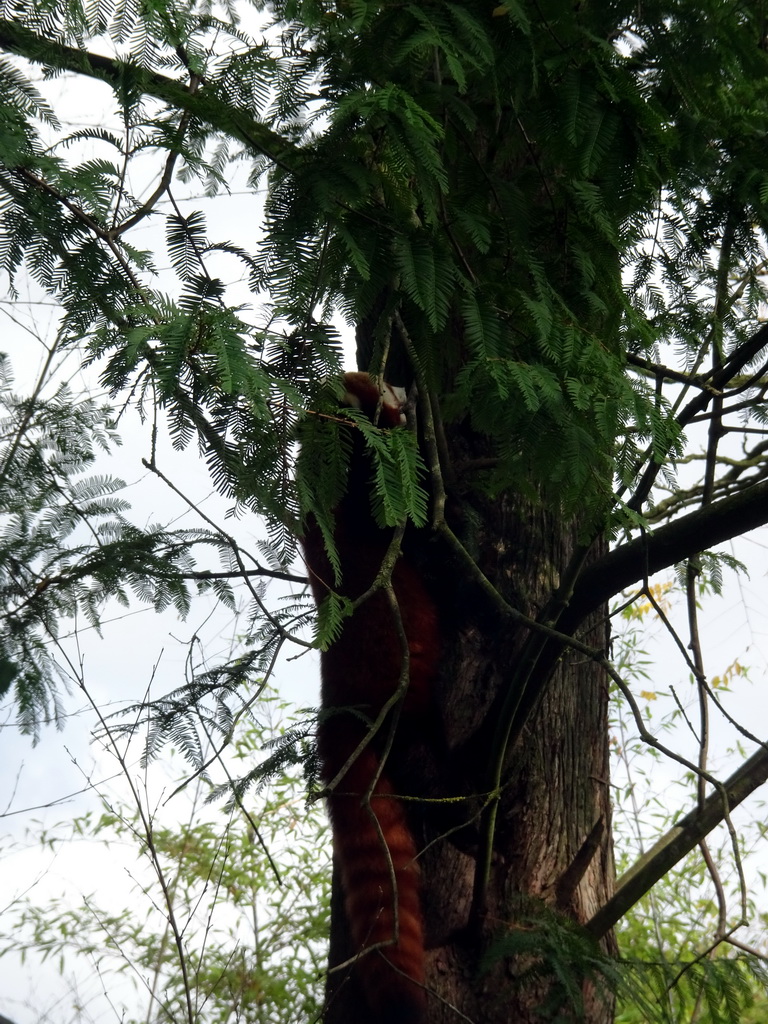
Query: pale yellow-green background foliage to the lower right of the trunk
[675, 964]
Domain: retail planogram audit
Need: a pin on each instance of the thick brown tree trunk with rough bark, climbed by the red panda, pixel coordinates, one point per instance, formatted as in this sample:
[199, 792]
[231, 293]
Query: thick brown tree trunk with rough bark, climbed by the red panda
[552, 845]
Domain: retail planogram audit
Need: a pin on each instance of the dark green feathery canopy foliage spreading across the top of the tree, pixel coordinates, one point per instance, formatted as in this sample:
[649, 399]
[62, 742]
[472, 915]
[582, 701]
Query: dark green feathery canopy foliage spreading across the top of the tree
[495, 182]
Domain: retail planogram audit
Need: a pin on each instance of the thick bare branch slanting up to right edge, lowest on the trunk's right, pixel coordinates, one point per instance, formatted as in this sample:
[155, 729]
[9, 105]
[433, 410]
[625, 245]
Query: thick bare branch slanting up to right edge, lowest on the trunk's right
[679, 841]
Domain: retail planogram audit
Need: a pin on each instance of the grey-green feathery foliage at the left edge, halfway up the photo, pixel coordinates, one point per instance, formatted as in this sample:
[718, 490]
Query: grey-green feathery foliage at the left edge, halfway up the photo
[66, 545]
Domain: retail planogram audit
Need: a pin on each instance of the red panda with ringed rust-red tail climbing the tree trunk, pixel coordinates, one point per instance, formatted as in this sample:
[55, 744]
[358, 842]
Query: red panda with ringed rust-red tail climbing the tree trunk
[373, 843]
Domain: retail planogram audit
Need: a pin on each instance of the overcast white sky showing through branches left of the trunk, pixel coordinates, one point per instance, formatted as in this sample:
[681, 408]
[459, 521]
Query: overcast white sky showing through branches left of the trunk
[53, 783]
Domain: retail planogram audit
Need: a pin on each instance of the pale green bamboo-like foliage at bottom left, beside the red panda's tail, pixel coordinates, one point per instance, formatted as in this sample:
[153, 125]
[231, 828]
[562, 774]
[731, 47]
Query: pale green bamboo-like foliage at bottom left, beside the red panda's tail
[251, 948]
